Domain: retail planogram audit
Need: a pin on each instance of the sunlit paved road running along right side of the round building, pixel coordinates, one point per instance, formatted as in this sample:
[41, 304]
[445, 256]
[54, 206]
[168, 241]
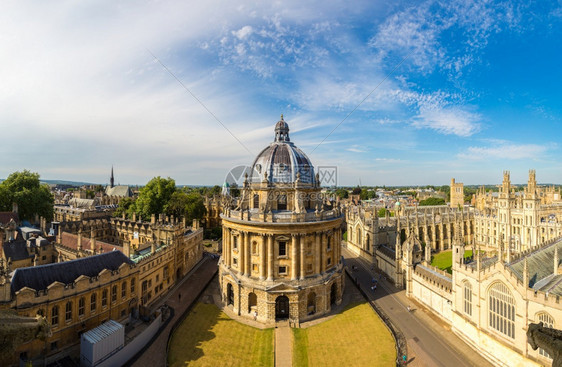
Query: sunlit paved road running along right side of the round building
[430, 340]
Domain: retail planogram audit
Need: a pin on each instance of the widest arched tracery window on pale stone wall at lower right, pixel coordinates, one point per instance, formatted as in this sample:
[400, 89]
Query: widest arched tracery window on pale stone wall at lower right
[501, 310]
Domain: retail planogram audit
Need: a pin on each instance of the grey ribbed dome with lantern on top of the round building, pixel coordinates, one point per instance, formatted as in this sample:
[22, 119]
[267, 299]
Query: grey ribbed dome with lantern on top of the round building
[282, 161]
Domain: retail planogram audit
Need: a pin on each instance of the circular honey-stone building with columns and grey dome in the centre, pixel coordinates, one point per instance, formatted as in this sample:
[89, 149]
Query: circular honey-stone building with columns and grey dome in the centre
[281, 240]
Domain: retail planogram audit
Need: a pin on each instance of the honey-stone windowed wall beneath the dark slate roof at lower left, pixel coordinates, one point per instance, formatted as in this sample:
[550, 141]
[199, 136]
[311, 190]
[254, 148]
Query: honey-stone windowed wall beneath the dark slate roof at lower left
[74, 307]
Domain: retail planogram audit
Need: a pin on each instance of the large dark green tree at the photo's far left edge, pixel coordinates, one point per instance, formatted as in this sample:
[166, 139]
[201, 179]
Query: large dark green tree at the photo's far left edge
[25, 190]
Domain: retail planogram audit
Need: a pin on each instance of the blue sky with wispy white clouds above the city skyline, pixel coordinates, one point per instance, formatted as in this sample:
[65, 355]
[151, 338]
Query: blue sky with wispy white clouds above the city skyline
[475, 88]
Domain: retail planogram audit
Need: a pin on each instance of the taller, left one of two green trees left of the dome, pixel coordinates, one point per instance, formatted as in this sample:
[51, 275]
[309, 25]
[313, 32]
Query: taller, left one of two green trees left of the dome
[154, 197]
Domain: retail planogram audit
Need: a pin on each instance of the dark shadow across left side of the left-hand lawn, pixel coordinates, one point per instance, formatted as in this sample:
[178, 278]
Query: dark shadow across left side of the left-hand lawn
[195, 329]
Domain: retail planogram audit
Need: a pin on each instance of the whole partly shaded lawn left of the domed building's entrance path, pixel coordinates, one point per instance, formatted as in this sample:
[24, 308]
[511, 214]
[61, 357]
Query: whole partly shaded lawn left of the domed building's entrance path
[208, 337]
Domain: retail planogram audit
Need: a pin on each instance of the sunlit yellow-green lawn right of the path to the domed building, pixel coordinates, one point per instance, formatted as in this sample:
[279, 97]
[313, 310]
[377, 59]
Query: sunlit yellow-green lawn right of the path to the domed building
[356, 337]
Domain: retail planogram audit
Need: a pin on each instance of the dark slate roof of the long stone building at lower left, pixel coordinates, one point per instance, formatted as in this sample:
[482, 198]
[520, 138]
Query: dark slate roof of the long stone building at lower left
[42, 276]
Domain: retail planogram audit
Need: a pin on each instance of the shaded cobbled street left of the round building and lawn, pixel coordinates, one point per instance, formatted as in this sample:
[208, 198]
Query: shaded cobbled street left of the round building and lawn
[189, 288]
